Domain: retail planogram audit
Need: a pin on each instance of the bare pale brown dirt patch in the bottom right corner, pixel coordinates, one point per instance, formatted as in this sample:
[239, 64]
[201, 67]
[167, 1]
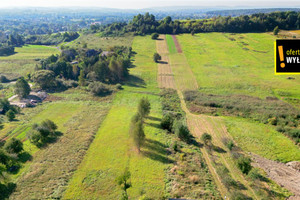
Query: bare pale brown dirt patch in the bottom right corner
[282, 174]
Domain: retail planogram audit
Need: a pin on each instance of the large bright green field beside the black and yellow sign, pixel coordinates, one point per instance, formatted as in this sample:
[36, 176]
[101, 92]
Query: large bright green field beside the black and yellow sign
[225, 63]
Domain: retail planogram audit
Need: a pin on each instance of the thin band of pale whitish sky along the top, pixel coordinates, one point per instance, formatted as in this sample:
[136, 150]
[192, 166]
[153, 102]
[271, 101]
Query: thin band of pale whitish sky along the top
[138, 4]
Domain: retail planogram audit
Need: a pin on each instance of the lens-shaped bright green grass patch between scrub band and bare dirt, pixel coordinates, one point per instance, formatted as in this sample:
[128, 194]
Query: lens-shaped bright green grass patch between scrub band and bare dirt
[262, 139]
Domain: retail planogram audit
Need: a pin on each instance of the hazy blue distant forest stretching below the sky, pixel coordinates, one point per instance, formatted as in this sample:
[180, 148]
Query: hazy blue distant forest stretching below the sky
[40, 21]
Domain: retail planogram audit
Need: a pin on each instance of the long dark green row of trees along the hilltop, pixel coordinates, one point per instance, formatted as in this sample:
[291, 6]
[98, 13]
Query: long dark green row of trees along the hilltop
[261, 22]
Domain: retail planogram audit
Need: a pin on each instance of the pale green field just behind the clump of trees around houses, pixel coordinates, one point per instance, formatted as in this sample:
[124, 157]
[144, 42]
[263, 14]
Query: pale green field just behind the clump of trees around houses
[94, 41]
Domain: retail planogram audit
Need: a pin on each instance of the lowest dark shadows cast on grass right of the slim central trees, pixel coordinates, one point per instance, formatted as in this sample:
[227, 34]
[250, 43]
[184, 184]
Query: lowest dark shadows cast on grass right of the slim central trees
[156, 150]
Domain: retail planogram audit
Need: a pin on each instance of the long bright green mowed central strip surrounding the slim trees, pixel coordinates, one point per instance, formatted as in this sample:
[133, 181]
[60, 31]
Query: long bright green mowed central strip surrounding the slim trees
[113, 150]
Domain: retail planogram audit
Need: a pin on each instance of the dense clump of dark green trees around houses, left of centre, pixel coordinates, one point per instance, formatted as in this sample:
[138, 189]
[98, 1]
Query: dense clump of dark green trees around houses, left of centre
[83, 67]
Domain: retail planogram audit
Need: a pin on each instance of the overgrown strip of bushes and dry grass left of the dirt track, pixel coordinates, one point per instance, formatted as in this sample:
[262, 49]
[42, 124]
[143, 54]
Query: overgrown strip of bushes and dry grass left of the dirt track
[189, 177]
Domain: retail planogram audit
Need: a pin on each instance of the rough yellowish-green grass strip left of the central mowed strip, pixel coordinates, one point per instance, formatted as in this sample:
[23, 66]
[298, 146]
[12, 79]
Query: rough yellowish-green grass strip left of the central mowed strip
[46, 175]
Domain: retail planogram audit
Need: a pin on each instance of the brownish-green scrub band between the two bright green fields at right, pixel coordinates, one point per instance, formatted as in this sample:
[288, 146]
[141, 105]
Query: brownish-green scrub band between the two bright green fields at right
[269, 111]
